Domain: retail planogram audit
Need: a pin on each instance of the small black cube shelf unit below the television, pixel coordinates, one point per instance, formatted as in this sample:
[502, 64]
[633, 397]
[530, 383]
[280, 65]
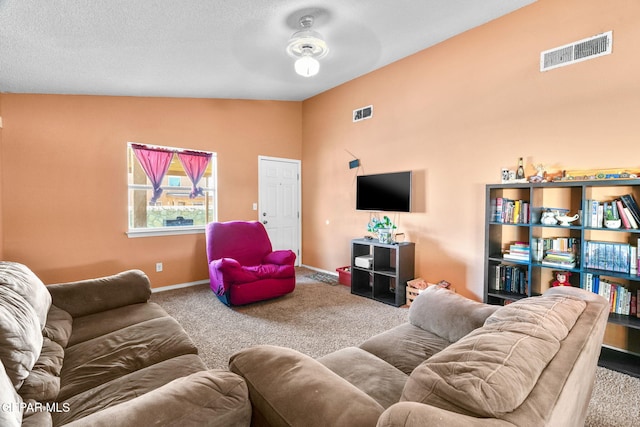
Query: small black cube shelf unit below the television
[392, 266]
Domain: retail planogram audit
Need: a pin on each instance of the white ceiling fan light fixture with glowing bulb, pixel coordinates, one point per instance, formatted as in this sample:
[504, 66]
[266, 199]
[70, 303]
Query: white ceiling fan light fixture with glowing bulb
[307, 46]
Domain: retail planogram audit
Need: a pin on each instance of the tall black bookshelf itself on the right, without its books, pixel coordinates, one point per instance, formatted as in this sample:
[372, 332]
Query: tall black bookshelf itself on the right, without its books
[621, 347]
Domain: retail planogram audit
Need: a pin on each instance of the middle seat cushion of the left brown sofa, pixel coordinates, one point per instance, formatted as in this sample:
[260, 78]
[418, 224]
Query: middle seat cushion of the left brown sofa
[104, 358]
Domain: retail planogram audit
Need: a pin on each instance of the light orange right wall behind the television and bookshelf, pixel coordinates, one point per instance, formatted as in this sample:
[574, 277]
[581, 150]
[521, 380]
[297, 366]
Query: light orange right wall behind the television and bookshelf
[456, 114]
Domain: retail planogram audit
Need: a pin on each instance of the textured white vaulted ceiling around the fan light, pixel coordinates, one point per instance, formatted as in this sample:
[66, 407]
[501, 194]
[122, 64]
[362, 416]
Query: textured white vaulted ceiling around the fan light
[215, 48]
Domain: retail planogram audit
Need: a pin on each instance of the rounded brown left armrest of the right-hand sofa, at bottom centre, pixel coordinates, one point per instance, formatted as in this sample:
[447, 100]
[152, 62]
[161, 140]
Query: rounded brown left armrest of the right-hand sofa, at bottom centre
[288, 388]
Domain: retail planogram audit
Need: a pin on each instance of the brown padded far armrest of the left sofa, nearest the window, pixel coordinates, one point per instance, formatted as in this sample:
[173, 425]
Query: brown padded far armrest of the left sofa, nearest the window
[100, 294]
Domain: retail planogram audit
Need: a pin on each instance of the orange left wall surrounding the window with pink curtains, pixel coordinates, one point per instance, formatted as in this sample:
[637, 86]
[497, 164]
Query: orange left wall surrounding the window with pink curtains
[64, 177]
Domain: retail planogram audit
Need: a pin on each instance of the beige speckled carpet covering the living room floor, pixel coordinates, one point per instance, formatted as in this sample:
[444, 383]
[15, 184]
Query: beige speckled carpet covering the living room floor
[321, 317]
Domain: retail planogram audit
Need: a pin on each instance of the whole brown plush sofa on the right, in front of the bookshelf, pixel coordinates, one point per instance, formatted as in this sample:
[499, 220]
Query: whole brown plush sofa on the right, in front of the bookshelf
[455, 363]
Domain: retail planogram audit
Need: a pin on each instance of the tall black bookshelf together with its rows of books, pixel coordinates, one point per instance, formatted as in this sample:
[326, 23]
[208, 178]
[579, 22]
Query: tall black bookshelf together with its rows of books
[517, 230]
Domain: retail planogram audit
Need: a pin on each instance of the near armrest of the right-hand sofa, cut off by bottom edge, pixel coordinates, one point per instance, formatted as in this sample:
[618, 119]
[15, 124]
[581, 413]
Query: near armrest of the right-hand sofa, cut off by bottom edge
[414, 414]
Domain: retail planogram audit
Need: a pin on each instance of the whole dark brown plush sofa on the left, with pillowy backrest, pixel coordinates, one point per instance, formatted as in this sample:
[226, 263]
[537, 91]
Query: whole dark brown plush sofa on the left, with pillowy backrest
[97, 353]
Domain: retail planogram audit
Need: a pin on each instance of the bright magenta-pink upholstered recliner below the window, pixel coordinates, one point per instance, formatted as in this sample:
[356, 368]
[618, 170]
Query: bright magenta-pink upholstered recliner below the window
[243, 268]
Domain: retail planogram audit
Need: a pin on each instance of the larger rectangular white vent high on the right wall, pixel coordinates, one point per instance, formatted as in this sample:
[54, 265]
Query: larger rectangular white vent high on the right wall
[581, 50]
